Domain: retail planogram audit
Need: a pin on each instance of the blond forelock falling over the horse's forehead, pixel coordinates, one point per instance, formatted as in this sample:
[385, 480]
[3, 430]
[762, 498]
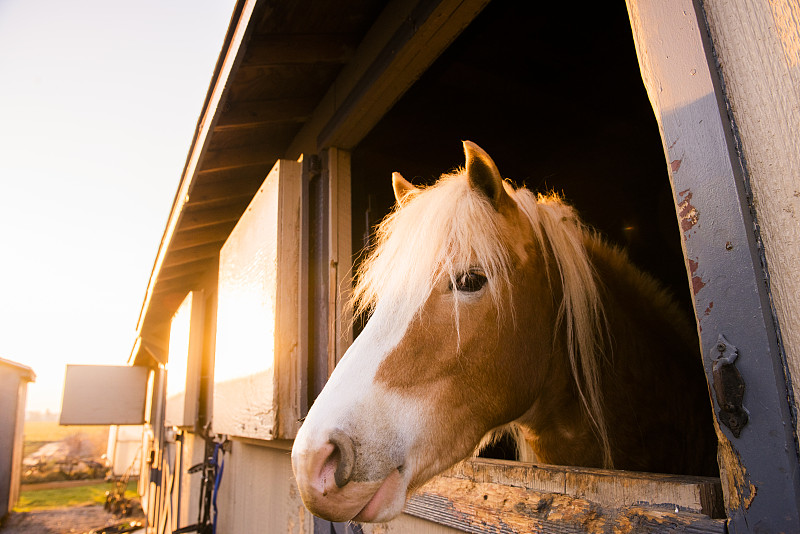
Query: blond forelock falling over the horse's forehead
[439, 232]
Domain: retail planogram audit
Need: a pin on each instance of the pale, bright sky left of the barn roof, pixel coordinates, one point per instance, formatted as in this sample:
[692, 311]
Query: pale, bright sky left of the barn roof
[99, 100]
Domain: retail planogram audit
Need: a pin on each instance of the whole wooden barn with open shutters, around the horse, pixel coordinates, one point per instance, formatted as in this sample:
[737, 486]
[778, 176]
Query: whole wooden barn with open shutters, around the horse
[671, 125]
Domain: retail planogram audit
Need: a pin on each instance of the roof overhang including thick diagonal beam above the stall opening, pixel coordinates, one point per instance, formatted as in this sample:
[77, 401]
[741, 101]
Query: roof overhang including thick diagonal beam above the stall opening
[291, 76]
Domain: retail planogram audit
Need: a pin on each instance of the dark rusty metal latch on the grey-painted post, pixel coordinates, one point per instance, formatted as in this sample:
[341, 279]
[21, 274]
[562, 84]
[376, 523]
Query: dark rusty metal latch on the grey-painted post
[729, 387]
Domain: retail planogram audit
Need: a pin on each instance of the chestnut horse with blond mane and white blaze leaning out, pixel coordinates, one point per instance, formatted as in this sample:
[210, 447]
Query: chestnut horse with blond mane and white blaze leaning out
[491, 307]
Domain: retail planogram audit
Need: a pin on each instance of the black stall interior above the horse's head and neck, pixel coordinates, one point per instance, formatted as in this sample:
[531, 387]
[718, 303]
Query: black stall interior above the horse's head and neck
[555, 96]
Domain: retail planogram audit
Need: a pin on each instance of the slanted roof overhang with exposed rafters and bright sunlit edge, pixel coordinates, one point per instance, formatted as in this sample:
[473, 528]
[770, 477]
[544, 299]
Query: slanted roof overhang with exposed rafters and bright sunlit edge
[277, 62]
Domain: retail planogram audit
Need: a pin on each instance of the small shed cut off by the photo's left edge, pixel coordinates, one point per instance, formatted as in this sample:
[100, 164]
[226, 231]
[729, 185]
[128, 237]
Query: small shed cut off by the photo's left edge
[14, 378]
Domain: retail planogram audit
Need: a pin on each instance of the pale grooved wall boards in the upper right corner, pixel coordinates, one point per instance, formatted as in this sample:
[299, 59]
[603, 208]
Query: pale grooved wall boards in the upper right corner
[757, 43]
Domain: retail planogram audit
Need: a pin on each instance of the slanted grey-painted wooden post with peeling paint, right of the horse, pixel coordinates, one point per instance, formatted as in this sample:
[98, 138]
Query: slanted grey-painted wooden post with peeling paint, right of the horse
[759, 465]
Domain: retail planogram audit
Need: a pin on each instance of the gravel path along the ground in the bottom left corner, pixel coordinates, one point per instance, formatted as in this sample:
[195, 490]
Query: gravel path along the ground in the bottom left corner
[74, 520]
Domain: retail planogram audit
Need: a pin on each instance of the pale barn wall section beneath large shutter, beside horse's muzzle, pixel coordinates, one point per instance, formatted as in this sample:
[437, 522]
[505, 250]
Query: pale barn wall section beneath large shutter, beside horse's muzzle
[258, 492]
